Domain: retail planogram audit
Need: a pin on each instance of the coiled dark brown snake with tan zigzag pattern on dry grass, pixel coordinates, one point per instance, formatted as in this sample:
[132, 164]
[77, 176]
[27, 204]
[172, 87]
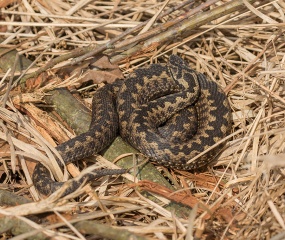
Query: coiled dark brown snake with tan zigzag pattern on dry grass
[168, 112]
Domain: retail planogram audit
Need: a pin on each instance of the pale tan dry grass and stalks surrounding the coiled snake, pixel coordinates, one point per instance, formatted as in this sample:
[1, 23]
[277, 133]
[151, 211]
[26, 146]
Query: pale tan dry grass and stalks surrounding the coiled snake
[243, 51]
